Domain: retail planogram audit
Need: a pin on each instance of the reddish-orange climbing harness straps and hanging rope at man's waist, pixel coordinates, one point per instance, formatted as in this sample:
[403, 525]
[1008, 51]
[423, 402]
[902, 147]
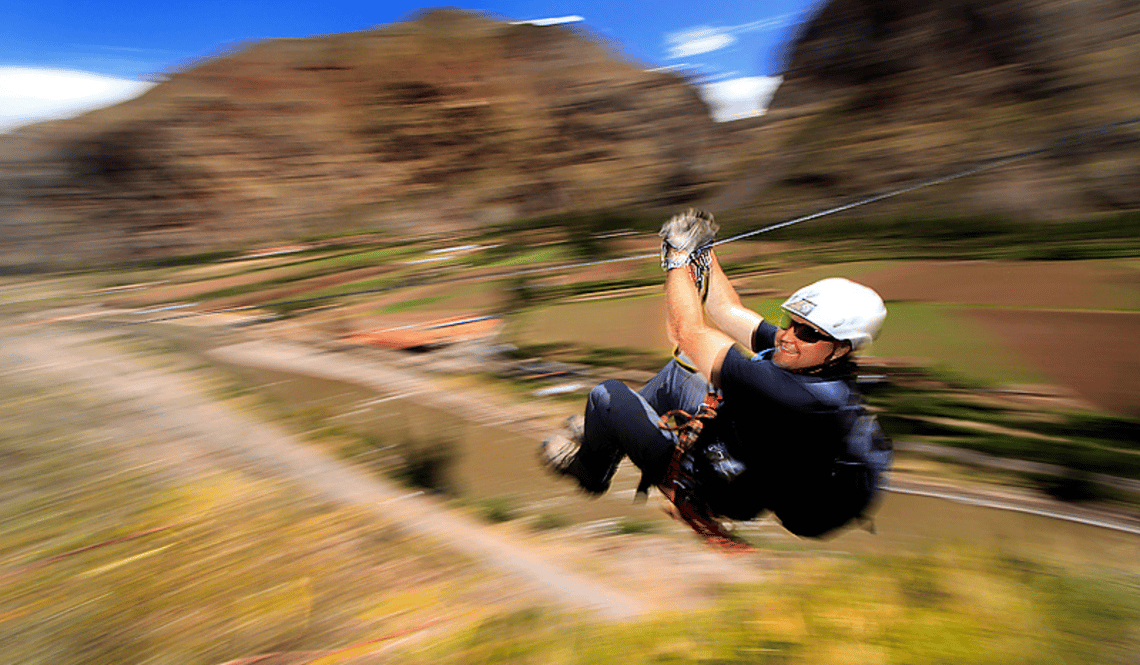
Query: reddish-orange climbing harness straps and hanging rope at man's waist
[680, 486]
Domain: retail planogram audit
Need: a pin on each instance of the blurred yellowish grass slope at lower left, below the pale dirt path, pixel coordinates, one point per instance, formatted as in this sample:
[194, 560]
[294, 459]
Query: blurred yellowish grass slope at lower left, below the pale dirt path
[105, 563]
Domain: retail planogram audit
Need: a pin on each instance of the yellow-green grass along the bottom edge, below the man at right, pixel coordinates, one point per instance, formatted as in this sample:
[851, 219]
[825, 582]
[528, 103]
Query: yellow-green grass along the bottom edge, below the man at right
[947, 606]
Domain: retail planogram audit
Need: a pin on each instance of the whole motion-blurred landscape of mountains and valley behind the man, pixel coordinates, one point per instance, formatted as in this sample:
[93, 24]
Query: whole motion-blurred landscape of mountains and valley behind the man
[281, 338]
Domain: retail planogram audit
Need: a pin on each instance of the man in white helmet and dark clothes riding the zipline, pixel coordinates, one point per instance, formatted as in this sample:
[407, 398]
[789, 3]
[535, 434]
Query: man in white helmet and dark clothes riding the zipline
[769, 418]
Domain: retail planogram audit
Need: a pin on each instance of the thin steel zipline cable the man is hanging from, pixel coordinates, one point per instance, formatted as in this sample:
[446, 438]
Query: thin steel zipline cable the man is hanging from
[990, 165]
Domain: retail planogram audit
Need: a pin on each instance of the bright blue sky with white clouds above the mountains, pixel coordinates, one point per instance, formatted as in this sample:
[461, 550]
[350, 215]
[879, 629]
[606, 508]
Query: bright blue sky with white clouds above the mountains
[58, 58]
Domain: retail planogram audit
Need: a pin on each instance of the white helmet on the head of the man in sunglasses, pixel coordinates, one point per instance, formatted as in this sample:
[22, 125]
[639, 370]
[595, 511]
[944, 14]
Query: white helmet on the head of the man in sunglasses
[842, 309]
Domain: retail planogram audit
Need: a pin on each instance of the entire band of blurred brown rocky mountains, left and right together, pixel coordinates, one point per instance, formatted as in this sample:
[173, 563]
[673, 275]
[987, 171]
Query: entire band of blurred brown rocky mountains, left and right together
[457, 121]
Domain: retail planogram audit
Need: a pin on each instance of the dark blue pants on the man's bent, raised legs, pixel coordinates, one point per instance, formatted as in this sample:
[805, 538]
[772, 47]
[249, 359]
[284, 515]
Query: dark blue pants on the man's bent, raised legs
[621, 423]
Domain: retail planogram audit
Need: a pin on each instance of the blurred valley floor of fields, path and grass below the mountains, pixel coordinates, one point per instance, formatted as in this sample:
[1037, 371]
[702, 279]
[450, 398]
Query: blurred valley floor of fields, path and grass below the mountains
[165, 425]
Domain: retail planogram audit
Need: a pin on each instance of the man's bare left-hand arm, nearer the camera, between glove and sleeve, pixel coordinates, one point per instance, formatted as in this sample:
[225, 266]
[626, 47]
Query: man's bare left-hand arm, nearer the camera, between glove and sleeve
[705, 346]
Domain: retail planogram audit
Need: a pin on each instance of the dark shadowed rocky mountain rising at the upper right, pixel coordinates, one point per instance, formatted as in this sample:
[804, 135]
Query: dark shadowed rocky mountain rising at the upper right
[880, 93]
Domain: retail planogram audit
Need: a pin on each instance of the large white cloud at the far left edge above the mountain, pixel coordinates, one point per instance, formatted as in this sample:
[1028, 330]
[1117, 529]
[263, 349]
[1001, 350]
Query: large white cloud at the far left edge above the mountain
[32, 95]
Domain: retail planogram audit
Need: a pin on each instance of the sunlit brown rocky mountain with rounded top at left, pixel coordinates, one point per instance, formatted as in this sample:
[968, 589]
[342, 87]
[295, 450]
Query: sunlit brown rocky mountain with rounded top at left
[449, 121]
